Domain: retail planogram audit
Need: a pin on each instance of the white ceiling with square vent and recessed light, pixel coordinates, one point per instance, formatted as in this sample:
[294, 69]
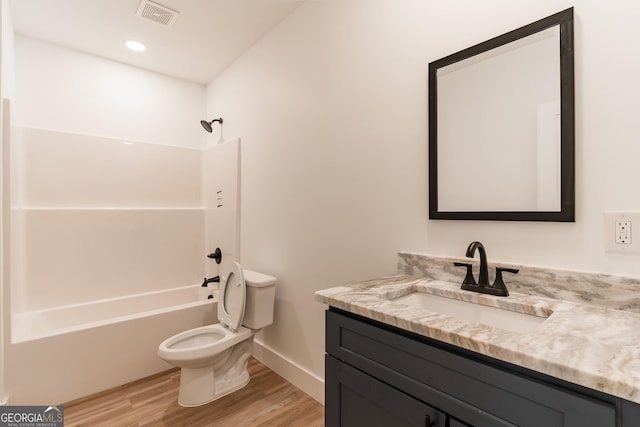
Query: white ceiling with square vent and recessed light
[206, 36]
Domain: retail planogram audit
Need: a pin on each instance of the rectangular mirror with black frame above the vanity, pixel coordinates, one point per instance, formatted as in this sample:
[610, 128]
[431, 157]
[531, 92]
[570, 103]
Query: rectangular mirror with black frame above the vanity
[501, 127]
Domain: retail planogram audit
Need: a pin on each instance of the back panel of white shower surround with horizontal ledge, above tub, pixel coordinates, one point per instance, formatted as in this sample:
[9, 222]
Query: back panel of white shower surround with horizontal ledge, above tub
[98, 218]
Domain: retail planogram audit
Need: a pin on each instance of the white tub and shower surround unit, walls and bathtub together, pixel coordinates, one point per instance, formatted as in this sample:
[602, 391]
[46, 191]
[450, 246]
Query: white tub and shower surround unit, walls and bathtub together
[104, 222]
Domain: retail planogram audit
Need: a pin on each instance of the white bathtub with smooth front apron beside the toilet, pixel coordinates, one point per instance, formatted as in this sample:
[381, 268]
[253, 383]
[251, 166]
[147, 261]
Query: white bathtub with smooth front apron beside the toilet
[64, 353]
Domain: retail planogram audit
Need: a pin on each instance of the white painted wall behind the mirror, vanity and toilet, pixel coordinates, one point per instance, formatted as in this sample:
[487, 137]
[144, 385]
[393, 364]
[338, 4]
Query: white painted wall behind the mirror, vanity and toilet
[332, 109]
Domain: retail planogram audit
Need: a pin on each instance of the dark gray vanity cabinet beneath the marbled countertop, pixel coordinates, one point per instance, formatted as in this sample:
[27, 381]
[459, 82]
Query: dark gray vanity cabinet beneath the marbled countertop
[379, 375]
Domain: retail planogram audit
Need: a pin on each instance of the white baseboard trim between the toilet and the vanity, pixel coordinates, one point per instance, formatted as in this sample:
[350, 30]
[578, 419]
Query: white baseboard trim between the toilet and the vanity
[290, 371]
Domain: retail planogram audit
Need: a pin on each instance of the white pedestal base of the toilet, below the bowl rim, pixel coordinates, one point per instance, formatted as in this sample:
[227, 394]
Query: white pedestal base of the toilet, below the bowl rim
[228, 373]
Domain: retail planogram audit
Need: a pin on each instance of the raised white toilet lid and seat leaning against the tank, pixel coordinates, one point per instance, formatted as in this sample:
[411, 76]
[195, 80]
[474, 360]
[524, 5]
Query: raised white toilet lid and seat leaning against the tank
[232, 297]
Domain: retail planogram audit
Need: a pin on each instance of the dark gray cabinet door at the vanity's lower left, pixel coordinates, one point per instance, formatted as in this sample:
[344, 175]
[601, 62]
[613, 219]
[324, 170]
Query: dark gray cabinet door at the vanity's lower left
[355, 399]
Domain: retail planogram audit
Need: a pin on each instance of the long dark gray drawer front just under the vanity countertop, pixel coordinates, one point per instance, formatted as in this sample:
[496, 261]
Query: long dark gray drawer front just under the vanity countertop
[474, 392]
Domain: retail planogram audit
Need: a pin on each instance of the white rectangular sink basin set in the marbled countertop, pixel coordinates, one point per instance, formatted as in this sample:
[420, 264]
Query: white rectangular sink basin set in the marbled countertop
[472, 312]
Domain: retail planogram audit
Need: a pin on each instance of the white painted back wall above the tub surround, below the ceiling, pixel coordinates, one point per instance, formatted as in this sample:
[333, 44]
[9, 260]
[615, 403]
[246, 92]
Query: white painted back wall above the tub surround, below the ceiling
[65, 90]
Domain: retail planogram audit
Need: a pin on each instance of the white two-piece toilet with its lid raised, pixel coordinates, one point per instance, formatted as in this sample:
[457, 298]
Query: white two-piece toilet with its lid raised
[213, 359]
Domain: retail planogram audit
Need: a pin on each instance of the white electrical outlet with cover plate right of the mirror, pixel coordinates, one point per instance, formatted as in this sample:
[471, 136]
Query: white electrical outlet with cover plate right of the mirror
[619, 232]
